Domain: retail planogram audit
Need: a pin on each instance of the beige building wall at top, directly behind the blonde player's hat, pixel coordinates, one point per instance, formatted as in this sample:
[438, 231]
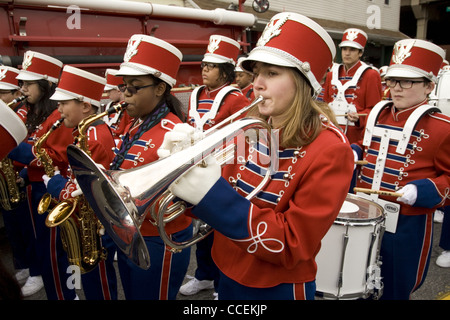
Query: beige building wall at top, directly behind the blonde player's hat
[380, 19]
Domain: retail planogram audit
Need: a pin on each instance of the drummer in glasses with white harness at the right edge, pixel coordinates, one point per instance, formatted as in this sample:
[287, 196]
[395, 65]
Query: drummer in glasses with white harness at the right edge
[406, 144]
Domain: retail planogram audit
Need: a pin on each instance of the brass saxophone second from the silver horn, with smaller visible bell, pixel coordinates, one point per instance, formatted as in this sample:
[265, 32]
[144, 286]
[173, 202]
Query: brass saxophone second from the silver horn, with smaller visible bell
[47, 162]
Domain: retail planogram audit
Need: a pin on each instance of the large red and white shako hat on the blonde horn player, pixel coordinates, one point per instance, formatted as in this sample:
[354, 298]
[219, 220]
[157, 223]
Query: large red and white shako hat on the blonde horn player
[293, 40]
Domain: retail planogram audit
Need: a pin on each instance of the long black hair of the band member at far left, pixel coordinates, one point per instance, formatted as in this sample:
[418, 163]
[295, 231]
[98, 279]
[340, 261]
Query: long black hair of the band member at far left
[38, 112]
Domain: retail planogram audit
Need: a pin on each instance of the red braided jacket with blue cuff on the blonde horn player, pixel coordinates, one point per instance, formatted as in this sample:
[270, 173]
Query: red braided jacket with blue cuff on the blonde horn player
[274, 237]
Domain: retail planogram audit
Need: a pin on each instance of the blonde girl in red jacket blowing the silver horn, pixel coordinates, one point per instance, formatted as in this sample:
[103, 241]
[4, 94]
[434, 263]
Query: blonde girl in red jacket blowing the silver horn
[265, 247]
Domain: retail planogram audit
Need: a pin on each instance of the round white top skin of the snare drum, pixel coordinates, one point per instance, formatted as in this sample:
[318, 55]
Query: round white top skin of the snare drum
[357, 209]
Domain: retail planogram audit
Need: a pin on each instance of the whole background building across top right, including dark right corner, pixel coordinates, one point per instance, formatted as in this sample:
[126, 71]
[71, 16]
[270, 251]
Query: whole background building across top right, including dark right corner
[385, 21]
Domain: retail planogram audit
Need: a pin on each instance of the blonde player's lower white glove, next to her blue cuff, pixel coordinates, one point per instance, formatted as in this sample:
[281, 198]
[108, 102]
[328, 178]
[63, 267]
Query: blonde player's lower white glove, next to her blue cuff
[195, 184]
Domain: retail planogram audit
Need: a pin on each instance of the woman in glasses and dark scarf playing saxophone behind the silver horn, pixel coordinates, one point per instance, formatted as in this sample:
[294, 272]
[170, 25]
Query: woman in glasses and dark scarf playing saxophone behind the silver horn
[149, 72]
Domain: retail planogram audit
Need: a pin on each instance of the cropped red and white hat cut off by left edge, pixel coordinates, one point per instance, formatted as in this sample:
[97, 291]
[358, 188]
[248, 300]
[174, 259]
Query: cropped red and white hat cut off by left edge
[12, 130]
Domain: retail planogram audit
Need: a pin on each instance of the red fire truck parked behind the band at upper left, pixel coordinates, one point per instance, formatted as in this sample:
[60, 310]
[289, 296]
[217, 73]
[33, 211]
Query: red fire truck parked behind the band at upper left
[93, 34]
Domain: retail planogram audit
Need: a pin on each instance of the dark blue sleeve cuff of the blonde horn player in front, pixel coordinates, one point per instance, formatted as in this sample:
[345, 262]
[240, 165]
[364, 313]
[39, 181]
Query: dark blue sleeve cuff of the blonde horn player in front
[224, 210]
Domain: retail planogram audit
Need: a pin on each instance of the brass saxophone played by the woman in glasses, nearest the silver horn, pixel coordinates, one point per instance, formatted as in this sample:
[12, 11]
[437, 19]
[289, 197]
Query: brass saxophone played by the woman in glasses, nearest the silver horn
[79, 226]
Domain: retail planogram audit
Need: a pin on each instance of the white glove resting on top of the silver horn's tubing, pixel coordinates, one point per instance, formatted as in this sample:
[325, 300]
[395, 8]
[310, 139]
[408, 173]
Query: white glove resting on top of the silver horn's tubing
[181, 137]
